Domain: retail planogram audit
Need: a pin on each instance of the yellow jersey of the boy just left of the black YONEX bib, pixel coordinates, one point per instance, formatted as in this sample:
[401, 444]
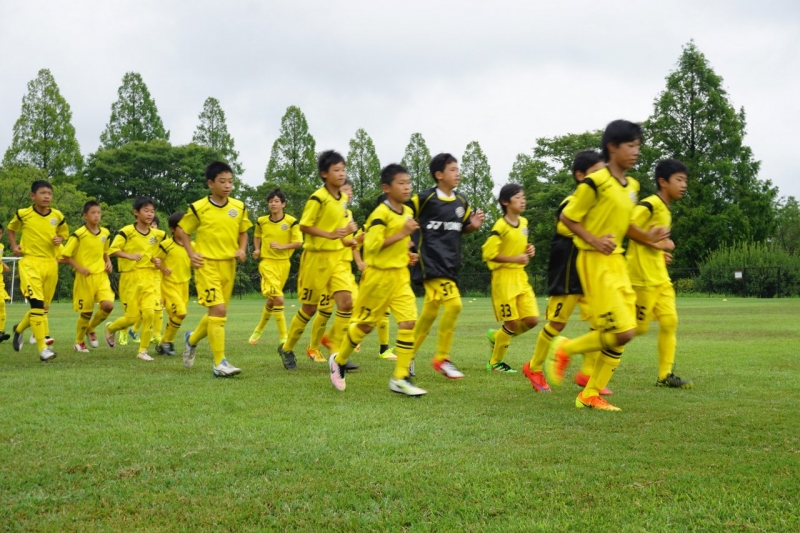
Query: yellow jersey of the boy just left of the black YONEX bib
[384, 222]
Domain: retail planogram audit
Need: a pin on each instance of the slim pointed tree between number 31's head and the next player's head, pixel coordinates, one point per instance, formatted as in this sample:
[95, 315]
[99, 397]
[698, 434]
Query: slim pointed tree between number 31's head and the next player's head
[364, 170]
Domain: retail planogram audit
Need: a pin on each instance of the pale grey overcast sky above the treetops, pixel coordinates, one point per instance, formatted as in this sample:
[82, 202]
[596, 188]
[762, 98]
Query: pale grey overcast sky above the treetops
[500, 72]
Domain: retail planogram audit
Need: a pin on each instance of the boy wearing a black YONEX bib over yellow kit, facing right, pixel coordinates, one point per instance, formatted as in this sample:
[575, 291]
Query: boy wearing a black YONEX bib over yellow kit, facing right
[443, 215]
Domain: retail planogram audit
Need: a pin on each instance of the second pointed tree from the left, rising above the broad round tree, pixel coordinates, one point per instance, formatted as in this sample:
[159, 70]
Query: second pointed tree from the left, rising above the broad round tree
[134, 116]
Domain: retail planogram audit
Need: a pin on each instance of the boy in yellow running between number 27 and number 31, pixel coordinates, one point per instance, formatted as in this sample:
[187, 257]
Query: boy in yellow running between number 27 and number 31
[277, 236]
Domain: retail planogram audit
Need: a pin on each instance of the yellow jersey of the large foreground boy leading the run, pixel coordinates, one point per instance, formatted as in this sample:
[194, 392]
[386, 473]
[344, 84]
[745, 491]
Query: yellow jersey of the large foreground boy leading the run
[603, 206]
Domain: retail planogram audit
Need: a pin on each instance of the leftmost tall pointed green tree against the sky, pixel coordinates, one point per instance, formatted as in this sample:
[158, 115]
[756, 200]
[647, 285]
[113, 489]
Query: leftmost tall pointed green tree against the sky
[43, 135]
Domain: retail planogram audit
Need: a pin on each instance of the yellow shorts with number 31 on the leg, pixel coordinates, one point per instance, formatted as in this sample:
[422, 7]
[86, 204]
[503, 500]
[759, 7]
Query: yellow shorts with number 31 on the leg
[322, 273]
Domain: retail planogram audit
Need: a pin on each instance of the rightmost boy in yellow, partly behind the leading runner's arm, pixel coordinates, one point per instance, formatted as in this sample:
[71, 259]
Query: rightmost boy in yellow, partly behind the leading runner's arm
[655, 295]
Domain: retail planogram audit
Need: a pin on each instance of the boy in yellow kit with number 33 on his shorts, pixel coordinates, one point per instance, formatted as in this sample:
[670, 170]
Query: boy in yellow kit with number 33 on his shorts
[507, 252]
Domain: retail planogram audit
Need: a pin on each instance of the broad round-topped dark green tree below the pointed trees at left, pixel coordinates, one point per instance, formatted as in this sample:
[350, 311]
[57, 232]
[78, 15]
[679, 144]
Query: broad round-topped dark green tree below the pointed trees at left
[172, 175]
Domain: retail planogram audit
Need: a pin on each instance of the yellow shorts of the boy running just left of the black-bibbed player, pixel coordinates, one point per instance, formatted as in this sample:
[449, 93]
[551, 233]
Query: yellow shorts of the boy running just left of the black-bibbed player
[385, 290]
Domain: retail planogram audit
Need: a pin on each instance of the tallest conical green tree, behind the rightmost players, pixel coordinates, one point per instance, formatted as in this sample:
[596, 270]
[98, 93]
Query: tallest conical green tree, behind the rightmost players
[694, 121]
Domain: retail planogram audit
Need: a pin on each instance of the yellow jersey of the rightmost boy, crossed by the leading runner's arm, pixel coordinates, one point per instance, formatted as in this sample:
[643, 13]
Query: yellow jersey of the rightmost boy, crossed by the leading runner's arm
[646, 265]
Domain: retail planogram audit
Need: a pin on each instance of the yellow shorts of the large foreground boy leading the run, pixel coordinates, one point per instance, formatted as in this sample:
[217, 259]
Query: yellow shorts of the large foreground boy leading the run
[607, 288]
